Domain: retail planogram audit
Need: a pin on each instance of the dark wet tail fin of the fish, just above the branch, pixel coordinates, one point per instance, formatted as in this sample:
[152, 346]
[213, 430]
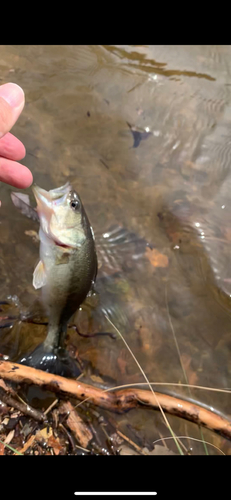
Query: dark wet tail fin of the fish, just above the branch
[57, 361]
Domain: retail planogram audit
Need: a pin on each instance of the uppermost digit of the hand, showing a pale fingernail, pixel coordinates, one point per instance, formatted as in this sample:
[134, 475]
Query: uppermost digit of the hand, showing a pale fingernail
[12, 101]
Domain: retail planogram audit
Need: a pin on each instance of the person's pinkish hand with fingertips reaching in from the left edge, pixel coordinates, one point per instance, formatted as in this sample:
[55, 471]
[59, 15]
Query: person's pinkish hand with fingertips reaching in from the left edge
[12, 101]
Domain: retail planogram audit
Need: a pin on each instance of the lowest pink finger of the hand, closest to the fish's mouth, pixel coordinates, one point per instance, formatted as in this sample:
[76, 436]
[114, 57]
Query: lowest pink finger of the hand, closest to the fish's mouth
[15, 174]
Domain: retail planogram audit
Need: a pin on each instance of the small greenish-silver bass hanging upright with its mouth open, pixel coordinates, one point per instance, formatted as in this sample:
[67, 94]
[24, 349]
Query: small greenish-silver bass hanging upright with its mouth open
[65, 273]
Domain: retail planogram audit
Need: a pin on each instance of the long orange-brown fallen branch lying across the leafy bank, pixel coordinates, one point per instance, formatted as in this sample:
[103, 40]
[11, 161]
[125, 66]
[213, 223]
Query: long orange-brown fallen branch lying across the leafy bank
[119, 400]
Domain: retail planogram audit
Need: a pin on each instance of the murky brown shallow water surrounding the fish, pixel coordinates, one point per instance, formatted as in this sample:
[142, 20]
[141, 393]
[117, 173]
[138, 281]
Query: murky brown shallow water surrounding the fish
[172, 190]
